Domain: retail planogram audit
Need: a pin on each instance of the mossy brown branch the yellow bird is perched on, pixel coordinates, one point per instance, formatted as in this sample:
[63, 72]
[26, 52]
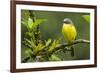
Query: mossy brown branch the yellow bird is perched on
[60, 46]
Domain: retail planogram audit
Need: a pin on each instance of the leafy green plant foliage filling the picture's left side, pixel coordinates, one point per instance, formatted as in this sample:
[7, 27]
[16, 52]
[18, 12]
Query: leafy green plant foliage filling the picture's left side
[33, 41]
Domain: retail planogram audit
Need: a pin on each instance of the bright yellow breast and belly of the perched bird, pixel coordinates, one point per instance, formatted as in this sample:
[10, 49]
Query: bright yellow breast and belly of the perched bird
[69, 32]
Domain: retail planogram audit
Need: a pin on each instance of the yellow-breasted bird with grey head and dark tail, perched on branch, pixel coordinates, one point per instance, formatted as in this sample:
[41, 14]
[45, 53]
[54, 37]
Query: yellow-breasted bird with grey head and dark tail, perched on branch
[69, 32]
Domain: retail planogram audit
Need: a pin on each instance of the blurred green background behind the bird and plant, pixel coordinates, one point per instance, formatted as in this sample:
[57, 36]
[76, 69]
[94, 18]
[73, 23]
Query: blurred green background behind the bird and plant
[52, 29]
